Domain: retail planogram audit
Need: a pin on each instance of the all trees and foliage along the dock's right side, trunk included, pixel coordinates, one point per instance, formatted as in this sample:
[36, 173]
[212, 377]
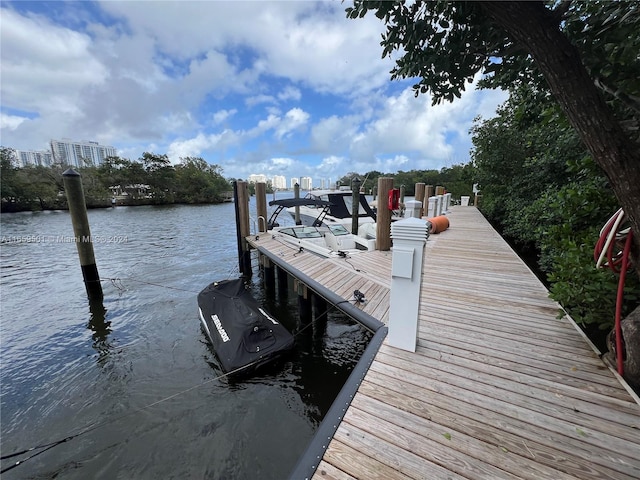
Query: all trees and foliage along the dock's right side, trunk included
[564, 152]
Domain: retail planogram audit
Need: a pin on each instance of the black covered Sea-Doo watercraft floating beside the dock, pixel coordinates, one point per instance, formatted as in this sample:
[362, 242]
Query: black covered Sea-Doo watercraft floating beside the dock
[241, 332]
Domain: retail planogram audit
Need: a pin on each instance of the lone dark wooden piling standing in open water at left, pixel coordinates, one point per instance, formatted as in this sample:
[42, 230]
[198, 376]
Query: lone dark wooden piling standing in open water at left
[78, 211]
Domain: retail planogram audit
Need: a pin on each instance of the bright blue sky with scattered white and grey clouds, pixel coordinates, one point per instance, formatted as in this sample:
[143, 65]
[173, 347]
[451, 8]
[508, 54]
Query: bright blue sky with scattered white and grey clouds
[290, 88]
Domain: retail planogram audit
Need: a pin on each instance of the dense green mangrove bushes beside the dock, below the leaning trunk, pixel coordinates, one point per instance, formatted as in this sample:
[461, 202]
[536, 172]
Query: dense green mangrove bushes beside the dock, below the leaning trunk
[544, 191]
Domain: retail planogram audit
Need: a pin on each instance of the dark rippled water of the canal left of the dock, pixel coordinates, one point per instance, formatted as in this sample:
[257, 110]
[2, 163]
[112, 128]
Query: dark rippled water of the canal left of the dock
[135, 375]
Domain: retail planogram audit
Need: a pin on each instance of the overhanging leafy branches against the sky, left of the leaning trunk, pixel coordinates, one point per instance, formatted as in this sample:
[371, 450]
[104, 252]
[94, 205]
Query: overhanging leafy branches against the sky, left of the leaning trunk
[443, 43]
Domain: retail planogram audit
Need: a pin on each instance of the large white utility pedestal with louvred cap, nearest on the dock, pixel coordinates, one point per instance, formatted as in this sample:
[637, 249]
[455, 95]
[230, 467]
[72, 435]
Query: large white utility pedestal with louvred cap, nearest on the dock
[409, 238]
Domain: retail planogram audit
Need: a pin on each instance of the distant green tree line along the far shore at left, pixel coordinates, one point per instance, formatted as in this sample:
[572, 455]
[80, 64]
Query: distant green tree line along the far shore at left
[152, 179]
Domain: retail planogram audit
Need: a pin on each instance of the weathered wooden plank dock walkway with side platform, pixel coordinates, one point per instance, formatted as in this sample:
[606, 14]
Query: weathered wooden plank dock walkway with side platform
[499, 387]
